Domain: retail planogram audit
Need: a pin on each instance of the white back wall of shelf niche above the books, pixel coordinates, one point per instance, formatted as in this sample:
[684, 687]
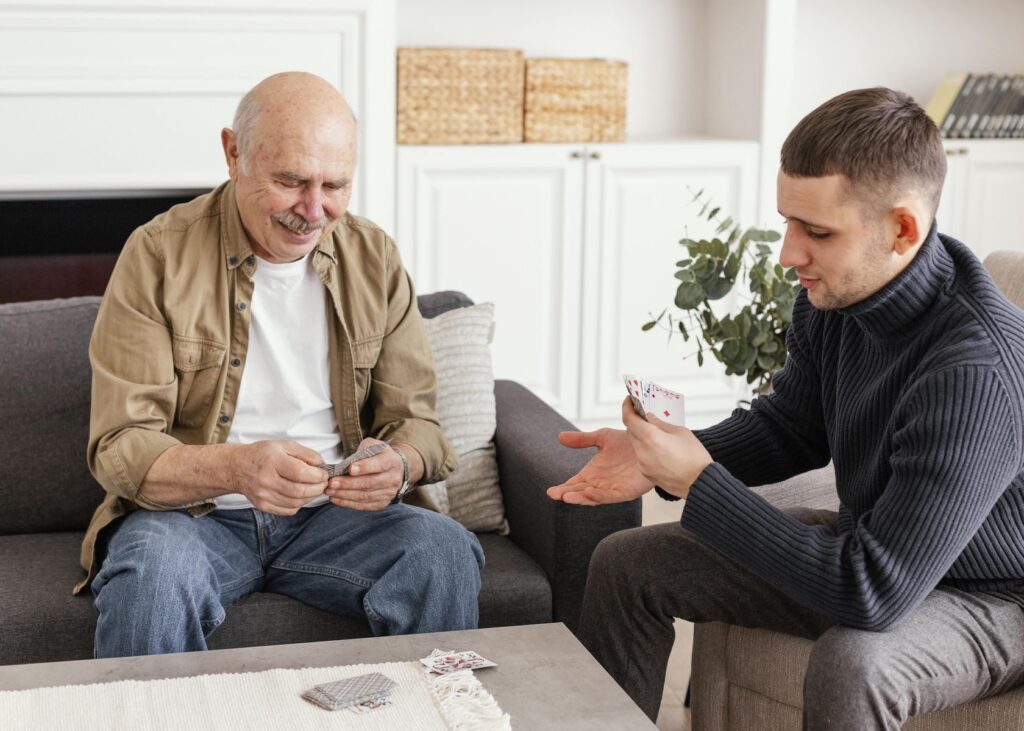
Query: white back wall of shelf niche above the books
[906, 46]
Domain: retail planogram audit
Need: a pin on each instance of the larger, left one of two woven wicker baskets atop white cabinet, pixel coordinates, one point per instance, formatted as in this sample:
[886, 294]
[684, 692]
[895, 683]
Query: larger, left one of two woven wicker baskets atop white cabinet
[460, 96]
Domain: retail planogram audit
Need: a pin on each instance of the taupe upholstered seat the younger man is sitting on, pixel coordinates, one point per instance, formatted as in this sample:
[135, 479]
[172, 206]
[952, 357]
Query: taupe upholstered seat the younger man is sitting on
[754, 679]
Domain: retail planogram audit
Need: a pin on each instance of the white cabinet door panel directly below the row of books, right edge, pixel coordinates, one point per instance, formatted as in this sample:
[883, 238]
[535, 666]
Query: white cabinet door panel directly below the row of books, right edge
[994, 192]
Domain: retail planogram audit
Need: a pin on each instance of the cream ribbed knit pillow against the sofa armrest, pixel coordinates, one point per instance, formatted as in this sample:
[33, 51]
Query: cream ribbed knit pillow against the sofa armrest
[460, 340]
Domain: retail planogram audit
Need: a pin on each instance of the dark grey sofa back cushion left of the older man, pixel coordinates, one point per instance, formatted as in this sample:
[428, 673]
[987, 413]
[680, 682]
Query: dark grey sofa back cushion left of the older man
[45, 416]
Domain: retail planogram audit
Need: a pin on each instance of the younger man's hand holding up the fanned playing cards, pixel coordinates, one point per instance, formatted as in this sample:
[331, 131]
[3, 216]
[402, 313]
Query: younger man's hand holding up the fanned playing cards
[669, 456]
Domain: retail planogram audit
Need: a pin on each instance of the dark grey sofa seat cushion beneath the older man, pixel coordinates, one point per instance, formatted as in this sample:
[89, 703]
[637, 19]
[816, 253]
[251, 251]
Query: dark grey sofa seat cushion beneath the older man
[42, 622]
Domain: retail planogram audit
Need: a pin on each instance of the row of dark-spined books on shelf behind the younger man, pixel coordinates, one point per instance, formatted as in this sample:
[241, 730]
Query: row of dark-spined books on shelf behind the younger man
[979, 106]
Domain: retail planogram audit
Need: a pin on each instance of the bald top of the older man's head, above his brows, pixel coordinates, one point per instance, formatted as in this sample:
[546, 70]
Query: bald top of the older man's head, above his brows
[292, 103]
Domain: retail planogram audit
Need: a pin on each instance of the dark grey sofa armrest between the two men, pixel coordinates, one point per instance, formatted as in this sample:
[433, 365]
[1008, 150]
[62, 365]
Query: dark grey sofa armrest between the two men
[561, 538]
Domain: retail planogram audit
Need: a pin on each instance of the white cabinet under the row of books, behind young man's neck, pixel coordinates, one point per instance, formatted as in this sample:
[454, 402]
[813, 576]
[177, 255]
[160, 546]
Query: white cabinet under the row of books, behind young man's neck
[984, 198]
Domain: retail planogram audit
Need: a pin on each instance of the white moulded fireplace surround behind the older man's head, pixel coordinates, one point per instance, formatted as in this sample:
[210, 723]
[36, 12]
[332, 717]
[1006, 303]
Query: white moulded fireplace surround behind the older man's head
[134, 96]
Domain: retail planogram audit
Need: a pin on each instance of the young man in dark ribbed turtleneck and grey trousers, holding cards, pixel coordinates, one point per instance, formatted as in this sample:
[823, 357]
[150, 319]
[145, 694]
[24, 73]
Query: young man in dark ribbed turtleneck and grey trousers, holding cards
[907, 371]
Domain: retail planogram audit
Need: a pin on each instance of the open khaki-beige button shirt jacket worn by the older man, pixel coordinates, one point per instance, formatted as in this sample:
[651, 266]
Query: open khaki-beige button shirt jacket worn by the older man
[170, 342]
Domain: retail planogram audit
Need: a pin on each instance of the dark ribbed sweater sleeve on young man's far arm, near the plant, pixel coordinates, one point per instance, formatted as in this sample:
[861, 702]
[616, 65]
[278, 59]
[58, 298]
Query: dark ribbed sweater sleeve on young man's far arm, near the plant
[783, 434]
